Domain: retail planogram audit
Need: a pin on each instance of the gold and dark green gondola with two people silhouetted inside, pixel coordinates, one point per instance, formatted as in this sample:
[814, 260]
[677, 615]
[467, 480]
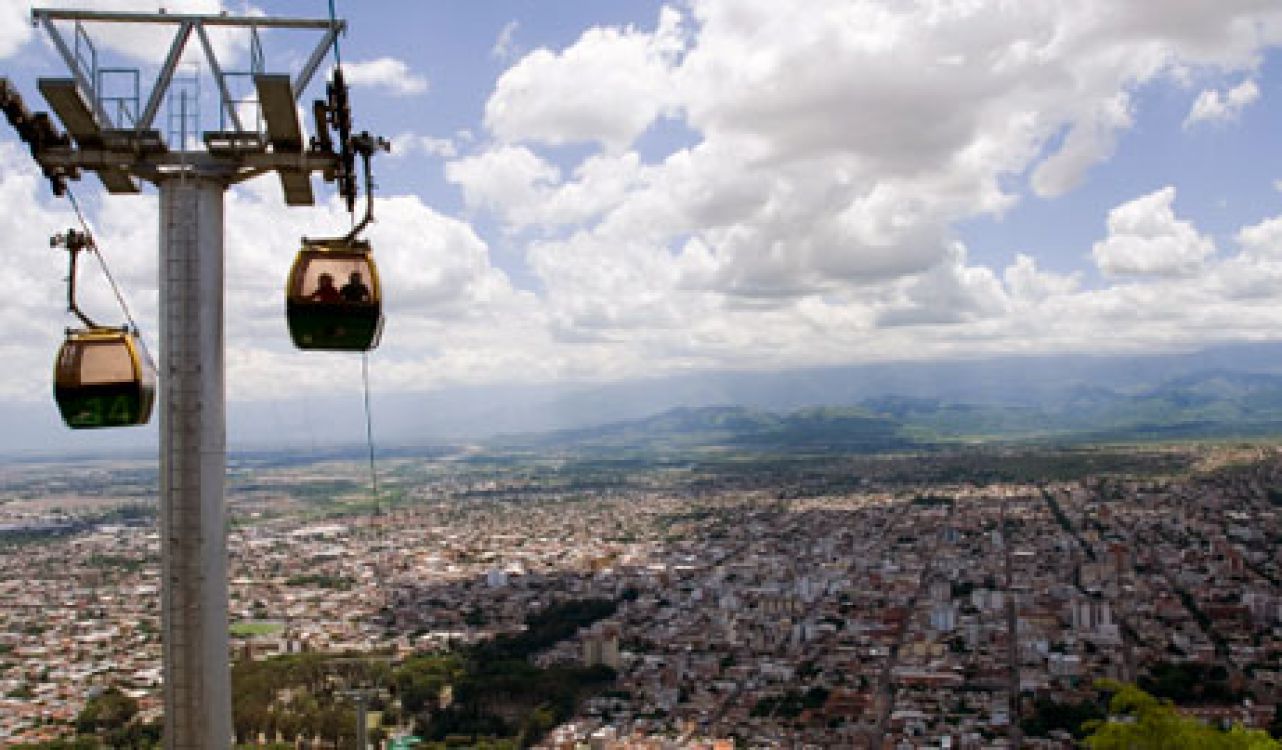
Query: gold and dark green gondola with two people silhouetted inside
[333, 297]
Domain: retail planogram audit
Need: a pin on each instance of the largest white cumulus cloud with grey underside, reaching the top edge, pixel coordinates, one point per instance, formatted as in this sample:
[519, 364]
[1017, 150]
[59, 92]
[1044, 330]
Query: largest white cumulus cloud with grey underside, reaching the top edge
[837, 147]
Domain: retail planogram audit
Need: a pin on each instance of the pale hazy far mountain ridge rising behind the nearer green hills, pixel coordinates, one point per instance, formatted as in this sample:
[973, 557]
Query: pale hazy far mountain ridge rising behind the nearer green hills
[981, 397]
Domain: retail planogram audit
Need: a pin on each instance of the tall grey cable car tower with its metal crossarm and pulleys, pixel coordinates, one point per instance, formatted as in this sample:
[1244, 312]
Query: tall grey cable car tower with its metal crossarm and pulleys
[116, 139]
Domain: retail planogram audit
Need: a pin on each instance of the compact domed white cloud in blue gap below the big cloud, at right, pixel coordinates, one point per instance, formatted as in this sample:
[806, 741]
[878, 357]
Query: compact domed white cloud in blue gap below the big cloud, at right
[1147, 239]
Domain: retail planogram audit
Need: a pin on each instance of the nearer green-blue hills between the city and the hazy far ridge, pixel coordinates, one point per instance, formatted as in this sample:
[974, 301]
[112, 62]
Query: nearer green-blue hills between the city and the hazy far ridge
[1204, 406]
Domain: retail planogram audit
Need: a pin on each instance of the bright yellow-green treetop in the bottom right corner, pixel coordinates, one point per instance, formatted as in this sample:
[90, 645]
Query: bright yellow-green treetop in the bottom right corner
[1143, 722]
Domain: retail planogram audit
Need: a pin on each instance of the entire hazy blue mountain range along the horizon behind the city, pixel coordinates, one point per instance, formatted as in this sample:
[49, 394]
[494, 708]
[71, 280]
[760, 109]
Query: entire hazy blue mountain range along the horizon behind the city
[1222, 392]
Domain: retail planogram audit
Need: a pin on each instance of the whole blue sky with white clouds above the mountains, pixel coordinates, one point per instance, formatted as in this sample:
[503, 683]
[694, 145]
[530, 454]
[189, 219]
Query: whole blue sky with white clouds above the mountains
[585, 192]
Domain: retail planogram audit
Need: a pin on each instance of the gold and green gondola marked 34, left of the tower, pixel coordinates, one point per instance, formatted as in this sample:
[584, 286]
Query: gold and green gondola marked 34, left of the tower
[103, 378]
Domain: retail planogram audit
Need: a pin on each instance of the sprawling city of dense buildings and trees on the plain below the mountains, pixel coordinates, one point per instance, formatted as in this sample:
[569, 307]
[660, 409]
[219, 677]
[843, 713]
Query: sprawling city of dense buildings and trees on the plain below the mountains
[949, 598]
